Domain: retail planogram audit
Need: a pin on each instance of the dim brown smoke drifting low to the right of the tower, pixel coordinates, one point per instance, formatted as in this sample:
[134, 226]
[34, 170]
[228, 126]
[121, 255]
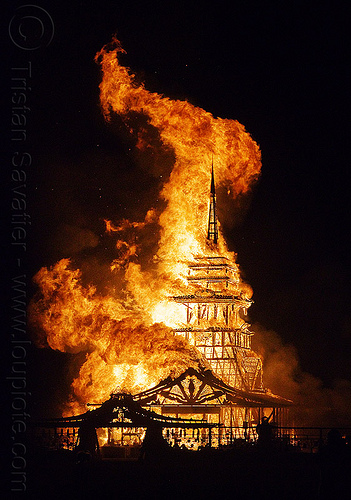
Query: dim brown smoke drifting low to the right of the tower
[314, 404]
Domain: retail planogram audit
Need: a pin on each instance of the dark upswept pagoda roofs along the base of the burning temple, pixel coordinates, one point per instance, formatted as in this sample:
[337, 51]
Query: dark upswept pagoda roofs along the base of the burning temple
[208, 395]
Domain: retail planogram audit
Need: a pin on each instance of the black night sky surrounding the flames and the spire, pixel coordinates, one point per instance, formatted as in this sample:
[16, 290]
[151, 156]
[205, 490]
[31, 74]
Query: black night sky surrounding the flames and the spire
[281, 70]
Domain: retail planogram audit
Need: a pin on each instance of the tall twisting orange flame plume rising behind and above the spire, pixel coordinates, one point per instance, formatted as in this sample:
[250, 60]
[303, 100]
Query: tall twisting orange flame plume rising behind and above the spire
[196, 137]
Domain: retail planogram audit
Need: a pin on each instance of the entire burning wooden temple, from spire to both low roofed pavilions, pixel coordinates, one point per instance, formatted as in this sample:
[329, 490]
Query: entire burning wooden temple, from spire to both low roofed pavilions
[214, 405]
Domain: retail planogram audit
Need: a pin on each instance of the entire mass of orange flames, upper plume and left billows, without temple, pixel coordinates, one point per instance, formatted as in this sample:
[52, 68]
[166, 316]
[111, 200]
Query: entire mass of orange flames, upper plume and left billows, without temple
[127, 333]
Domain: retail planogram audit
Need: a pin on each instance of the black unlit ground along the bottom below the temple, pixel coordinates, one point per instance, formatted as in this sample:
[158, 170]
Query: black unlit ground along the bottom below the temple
[212, 474]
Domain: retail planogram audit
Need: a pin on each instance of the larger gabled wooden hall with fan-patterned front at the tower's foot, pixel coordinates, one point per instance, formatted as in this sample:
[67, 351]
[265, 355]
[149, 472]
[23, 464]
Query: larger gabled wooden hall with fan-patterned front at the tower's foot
[202, 395]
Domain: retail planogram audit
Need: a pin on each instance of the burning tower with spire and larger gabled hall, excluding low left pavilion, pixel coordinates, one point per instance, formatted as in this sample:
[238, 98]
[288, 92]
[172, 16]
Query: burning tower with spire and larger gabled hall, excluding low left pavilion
[230, 392]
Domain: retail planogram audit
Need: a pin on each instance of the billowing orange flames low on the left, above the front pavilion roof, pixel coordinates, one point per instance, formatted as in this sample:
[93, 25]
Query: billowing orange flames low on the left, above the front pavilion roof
[124, 350]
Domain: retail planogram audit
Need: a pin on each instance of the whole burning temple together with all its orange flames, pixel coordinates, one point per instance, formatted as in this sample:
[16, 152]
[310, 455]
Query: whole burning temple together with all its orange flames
[192, 371]
